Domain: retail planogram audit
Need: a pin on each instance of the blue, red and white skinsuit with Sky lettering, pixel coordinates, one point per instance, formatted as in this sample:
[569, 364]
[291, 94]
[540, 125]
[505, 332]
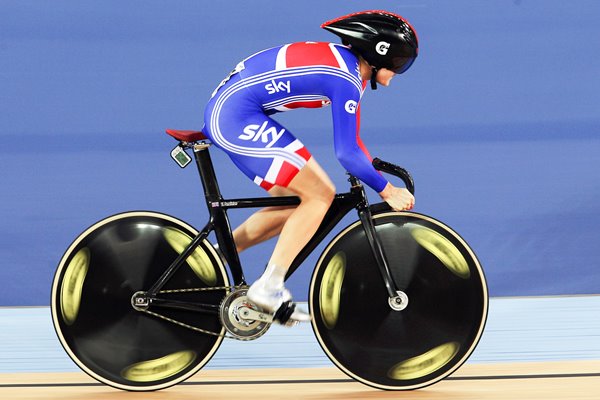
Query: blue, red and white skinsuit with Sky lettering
[305, 74]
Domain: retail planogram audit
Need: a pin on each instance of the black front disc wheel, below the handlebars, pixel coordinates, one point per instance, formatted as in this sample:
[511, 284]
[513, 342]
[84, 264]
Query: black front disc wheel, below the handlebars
[443, 313]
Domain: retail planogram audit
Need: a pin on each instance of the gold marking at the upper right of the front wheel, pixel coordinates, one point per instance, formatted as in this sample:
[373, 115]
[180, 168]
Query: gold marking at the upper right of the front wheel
[442, 249]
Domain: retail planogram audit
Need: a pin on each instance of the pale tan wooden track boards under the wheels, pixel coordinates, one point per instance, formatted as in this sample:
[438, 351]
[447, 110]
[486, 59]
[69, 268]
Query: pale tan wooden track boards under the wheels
[550, 380]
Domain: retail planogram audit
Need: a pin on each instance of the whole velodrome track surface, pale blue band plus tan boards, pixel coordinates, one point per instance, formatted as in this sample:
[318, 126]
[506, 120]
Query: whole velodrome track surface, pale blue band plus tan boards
[533, 348]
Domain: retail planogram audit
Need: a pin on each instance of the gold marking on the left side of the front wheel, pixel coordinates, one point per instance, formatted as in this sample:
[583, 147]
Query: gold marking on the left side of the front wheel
[331, 289]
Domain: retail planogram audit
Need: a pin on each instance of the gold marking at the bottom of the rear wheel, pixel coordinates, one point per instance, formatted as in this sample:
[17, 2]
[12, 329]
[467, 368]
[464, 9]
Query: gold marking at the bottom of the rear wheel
[159, 368]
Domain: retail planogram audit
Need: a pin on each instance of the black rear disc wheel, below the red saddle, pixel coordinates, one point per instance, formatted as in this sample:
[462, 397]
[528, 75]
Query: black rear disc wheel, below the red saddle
[92, 293]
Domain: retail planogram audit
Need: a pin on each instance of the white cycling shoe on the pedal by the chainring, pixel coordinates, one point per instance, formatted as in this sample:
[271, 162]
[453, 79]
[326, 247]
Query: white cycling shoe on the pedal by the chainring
[277, 302]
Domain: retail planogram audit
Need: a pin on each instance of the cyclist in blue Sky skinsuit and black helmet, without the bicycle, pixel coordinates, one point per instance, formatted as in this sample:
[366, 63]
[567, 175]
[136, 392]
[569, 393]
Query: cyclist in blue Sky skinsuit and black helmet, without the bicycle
[376, 46]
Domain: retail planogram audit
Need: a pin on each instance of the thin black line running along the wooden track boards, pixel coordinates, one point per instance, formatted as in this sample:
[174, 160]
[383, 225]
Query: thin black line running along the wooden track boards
[292, 381]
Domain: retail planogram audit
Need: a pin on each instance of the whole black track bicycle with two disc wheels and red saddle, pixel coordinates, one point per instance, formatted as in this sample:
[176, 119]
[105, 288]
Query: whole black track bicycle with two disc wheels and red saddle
[142, 300]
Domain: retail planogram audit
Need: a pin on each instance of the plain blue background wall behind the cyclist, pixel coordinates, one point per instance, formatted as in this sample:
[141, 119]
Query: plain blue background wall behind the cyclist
[498, 119]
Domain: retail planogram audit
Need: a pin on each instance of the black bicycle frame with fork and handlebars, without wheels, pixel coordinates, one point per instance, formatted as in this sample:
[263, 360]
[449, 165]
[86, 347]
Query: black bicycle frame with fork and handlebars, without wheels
[219, 223]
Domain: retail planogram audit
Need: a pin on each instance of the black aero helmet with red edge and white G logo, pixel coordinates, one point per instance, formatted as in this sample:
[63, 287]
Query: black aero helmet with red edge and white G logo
[383, 39]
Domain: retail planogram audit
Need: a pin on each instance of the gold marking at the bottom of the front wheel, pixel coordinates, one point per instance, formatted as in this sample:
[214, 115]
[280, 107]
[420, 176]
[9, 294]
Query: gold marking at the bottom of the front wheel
[424, 364]
